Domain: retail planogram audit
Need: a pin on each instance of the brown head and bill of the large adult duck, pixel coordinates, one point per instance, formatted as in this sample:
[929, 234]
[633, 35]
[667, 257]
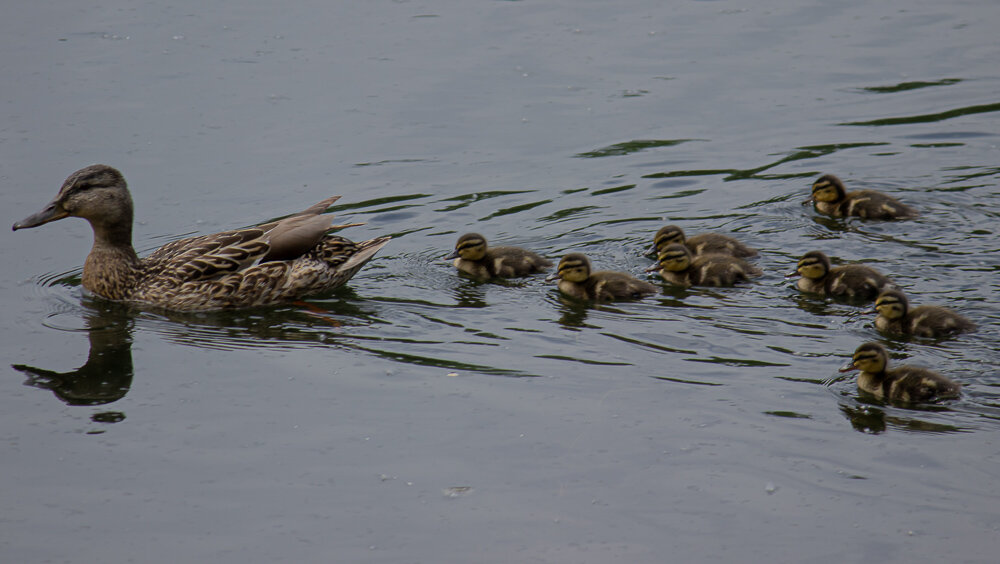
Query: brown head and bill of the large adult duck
[97, 193]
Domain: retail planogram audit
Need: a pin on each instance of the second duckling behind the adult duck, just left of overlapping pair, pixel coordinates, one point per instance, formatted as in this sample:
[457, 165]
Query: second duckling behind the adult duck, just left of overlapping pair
[577, 281]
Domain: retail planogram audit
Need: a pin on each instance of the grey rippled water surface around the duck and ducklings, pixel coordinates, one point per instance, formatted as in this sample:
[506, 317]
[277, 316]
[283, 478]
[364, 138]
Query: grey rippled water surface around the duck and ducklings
[418, 416]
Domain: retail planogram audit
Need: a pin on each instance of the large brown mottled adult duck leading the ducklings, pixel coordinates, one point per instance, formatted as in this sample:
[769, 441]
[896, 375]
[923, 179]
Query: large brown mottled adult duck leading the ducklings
[267, 264]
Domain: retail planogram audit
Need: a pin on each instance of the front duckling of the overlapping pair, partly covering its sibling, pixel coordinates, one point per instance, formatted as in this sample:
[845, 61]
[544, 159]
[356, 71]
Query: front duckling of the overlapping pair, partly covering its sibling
[677, 266]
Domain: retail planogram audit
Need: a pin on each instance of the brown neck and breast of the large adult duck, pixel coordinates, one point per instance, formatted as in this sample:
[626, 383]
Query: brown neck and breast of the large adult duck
[112, 267]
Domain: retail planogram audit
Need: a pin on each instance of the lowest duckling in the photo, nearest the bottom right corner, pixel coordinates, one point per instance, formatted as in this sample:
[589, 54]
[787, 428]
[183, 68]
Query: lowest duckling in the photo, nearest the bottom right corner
[904, 383]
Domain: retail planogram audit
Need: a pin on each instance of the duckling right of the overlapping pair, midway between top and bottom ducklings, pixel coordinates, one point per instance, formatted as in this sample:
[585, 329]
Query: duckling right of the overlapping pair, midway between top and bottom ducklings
[852, 280]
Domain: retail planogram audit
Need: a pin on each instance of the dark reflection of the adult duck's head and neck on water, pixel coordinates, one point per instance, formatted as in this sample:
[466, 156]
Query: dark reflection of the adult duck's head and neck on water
[106, 376]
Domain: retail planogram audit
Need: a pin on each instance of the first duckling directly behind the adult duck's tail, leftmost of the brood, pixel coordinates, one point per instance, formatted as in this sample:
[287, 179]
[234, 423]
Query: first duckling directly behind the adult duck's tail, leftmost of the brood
[473, 257]
